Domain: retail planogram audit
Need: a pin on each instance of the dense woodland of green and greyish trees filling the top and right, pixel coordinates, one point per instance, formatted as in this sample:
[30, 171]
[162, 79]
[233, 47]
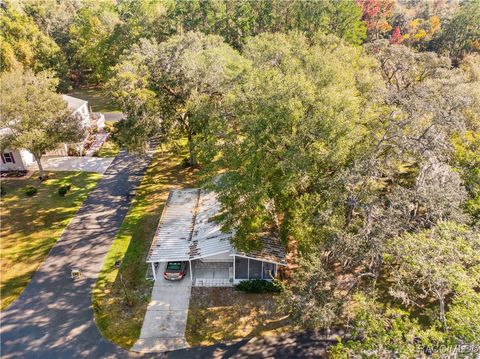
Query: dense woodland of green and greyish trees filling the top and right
[349, 129]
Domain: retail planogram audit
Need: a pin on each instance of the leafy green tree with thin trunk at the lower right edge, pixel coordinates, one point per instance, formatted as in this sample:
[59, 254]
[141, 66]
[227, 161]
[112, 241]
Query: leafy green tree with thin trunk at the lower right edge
[435, 264]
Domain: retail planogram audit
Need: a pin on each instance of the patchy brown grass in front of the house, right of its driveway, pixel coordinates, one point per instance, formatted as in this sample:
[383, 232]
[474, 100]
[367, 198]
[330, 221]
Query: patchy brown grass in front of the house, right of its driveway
[222, 314]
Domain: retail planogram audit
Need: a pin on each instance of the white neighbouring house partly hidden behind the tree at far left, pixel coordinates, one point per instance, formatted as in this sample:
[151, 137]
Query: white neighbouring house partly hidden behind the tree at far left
[21, 159]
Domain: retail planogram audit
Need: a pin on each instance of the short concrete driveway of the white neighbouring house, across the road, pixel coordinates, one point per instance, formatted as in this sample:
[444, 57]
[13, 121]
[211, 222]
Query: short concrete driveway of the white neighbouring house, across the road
[70, 163]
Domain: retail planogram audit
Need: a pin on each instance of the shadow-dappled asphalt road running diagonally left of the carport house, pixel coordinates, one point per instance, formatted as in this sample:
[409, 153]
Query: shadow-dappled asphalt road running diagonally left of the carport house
[53, 317]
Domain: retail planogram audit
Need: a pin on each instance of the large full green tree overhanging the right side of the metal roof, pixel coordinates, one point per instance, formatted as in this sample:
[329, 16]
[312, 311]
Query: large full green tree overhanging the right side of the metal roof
[298, 117]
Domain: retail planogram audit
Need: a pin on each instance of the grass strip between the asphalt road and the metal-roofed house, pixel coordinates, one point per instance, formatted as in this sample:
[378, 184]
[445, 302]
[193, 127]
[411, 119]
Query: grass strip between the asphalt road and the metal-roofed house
[118, 320]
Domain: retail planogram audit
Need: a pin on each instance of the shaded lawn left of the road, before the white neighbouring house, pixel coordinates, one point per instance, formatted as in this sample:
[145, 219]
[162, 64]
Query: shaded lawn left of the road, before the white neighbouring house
[30, 226]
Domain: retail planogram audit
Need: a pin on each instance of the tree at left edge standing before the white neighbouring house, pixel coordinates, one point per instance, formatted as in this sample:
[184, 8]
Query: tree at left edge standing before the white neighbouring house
[34, 116]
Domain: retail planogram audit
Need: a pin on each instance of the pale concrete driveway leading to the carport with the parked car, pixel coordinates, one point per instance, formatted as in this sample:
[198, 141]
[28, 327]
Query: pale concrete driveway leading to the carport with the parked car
[165, 321]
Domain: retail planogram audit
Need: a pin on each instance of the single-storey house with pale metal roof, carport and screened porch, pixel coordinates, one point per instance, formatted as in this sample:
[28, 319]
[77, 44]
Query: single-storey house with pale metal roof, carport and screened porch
[186, 232]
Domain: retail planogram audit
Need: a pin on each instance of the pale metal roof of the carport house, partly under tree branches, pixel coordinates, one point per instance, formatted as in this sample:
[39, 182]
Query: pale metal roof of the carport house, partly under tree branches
[187, 231]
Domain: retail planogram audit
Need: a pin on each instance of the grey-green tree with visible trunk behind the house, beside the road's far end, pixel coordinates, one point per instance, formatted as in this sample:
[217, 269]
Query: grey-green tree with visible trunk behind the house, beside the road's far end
[189, 75]
